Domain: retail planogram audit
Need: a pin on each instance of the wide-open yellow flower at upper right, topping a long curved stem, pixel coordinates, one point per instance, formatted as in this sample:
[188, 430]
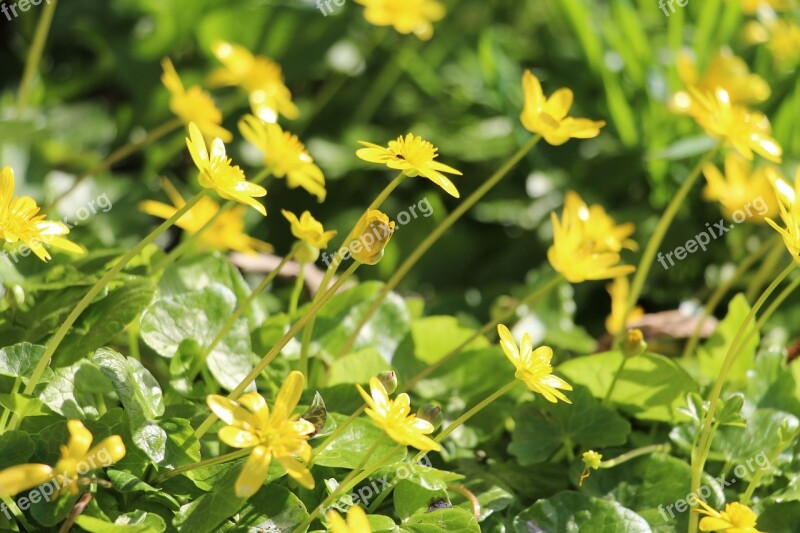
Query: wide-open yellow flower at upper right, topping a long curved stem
[746, 131]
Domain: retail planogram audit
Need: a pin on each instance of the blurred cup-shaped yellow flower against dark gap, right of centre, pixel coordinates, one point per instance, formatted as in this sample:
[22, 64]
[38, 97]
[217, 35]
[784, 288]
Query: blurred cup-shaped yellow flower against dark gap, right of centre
[587, 242]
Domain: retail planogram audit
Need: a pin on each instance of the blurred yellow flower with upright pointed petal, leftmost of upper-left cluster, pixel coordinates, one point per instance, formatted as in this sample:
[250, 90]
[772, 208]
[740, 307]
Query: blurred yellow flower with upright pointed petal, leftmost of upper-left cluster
[194, 105]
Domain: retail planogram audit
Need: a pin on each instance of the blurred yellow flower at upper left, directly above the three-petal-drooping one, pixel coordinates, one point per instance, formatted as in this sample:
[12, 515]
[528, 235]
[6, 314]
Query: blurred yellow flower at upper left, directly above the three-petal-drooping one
[260, 77]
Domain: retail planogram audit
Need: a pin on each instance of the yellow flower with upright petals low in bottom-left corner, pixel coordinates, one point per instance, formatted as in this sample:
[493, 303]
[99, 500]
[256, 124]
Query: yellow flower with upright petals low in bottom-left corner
[77, 459]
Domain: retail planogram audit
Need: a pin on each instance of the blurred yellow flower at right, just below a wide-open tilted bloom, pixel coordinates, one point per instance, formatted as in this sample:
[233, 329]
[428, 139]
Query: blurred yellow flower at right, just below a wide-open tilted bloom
[742, 187]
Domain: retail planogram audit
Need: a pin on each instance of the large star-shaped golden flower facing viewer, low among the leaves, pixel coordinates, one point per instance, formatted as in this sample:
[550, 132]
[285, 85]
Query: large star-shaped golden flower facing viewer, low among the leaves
[280, 434]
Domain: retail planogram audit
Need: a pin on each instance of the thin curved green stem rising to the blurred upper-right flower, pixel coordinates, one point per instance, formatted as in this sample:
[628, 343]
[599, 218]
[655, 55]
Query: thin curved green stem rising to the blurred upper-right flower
[657, 238]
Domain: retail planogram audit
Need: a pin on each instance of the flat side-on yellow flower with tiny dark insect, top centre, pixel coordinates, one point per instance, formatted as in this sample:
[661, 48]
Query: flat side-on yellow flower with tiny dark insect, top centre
[414, 156]
